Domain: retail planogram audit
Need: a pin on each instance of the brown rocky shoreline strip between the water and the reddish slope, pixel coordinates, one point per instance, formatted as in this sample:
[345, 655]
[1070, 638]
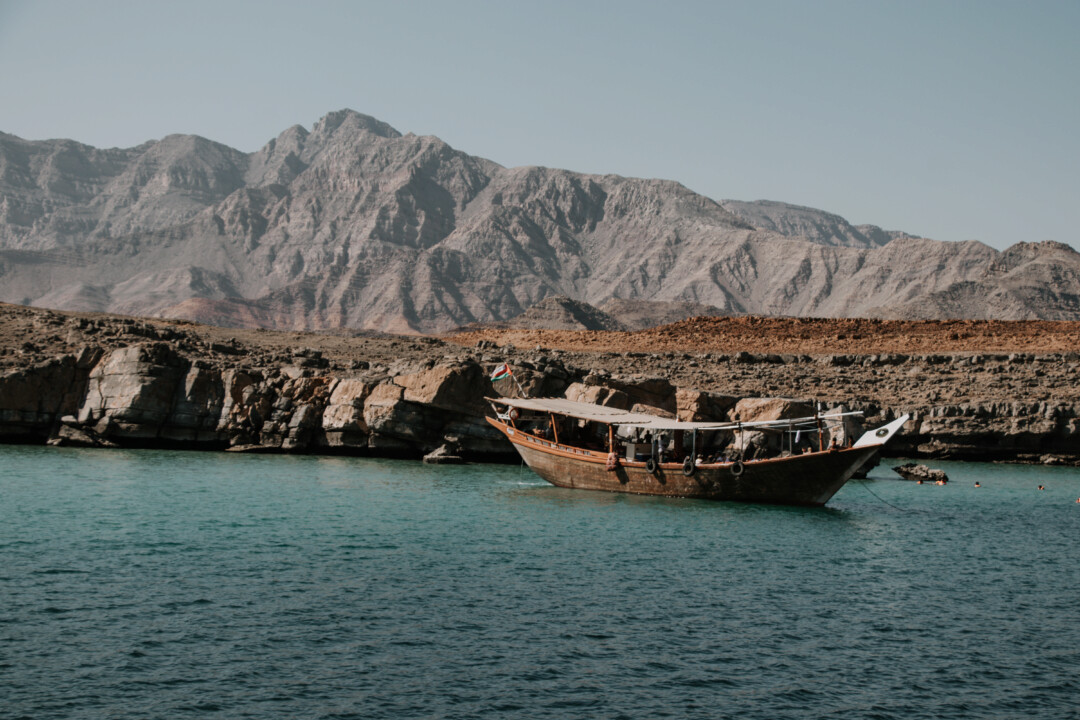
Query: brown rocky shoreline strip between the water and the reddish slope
[99, 381]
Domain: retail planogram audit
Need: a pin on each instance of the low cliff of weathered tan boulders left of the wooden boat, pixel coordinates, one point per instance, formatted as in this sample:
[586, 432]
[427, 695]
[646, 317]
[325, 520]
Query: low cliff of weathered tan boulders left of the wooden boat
[150, 396]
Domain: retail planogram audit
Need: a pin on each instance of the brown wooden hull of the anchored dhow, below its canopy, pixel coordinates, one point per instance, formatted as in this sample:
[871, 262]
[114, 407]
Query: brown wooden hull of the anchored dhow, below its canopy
[806, 480]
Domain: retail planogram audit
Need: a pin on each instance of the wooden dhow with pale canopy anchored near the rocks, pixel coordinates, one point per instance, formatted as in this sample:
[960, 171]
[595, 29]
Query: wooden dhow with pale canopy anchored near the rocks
[591, 447]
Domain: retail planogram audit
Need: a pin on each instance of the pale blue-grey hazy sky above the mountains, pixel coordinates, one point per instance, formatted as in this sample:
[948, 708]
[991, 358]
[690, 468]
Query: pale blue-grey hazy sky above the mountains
[955, 120]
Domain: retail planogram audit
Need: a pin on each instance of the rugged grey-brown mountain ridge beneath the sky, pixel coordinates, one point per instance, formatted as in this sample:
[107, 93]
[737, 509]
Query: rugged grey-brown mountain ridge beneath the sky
[354, 225]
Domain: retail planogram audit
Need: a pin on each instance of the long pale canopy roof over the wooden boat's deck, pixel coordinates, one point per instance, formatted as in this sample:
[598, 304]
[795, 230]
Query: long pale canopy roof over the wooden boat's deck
[611, 416]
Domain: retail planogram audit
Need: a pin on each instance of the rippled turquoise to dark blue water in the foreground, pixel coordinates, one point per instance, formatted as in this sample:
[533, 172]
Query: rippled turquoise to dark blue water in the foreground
[152, 585]
